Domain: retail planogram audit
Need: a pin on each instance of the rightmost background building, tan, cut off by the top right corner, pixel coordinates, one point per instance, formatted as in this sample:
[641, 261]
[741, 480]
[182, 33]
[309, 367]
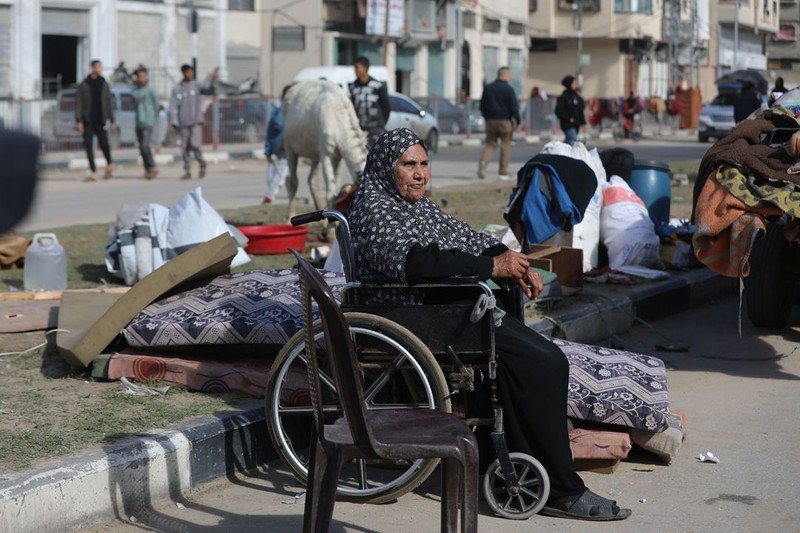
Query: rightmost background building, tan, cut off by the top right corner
[783, 50]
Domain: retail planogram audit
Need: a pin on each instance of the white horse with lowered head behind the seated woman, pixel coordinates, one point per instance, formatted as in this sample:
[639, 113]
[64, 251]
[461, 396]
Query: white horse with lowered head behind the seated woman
[321, 124]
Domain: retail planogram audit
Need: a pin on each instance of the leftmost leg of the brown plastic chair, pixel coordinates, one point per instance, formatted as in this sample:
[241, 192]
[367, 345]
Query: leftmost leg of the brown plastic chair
[323, 477]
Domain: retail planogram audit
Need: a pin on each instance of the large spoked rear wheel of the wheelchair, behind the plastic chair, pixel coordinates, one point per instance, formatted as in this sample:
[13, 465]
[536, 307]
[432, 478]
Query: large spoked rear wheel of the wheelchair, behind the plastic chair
[399, 373]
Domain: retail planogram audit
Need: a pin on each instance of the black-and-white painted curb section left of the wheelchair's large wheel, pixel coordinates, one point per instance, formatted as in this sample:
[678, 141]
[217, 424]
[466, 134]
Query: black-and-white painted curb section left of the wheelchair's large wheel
[126, 478]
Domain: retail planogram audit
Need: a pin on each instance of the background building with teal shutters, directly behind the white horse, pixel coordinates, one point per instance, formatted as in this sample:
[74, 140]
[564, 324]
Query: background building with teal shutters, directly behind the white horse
[435, 48]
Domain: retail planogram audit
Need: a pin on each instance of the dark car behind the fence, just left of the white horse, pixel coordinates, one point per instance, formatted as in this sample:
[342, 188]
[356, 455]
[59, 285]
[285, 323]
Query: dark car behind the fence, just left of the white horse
[241, 119]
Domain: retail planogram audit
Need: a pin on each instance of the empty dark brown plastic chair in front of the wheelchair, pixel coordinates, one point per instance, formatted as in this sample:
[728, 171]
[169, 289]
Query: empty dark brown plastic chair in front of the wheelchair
[393, 434]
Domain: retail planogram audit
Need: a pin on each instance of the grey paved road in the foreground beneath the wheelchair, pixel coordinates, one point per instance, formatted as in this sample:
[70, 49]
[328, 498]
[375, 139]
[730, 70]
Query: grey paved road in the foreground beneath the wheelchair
[740, 396]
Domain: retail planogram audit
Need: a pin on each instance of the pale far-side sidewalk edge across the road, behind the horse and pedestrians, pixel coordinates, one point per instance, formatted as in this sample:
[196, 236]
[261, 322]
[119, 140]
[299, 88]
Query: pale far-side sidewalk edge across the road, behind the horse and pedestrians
[76, 159]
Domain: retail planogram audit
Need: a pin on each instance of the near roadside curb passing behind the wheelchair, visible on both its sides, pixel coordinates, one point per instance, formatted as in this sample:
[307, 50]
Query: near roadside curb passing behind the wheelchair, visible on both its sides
[98, 485]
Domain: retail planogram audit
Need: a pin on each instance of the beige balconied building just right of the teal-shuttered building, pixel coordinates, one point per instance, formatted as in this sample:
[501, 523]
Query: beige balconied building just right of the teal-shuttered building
[612, 47]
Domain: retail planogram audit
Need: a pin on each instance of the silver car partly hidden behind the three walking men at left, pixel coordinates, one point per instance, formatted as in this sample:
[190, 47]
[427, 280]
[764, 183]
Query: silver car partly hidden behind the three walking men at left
[124, 118]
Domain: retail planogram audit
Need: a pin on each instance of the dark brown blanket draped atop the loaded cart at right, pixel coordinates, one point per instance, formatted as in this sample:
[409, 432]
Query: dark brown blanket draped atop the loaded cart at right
[743, 148]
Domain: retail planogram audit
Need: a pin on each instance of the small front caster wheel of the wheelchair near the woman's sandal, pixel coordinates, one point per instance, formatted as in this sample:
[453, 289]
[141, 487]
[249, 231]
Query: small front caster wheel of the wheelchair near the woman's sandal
[533, 490]
